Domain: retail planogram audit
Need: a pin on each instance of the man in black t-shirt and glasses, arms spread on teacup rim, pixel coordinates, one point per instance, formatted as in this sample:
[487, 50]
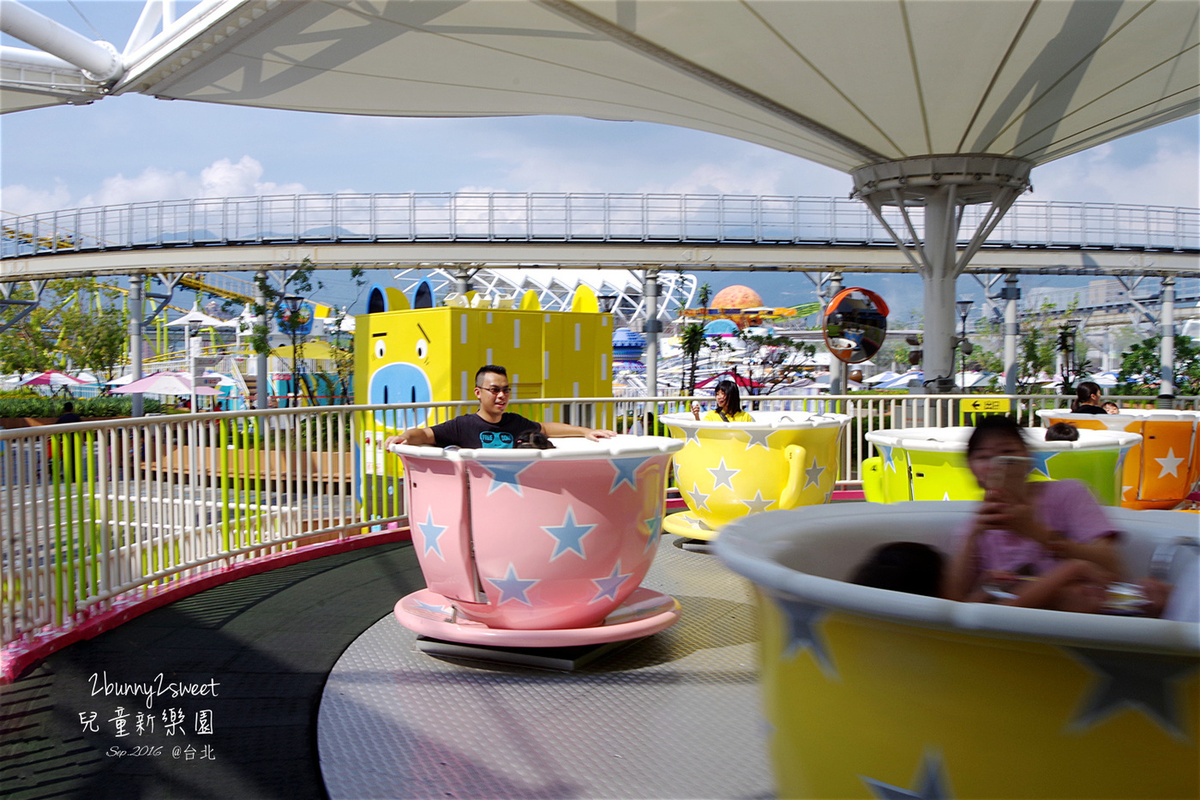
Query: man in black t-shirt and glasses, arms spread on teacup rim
[491, 426]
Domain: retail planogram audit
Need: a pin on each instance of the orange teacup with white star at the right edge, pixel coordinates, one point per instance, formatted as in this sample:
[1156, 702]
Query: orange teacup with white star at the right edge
[1165, 468]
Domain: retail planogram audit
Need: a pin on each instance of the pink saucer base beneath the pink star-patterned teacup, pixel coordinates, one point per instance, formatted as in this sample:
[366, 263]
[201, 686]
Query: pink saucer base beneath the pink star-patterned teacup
[644, 612]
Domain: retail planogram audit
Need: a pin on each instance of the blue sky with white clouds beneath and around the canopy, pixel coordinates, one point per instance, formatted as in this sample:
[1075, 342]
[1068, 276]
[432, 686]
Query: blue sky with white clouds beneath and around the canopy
[134, 148]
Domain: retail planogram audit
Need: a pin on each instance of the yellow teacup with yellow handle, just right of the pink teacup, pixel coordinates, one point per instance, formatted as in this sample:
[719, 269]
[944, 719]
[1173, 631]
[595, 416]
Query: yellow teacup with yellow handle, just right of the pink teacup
[728, 471]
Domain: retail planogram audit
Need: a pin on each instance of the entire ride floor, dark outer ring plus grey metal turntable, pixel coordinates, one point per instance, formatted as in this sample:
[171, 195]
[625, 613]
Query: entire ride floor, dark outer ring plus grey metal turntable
[316, 691]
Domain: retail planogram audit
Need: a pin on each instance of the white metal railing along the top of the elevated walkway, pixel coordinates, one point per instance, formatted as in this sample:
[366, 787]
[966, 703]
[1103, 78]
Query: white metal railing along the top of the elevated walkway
[581, 218]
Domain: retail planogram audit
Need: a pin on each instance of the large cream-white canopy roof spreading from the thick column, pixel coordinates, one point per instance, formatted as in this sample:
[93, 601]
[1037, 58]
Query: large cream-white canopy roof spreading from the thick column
[844, 85]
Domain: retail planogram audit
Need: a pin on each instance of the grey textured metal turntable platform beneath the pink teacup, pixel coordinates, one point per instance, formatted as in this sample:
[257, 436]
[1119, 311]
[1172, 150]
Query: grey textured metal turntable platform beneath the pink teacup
[674, 715]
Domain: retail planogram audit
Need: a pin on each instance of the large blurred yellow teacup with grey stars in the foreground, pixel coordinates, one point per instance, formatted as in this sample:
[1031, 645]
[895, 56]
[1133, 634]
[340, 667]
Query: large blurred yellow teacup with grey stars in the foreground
[877, 694]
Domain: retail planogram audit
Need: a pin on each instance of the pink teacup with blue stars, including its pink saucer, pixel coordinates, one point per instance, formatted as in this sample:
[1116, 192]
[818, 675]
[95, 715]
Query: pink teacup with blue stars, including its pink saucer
[531, 549]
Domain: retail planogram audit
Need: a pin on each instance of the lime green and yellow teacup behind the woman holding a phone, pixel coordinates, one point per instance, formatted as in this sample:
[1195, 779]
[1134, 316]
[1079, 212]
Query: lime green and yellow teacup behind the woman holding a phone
[932, 464]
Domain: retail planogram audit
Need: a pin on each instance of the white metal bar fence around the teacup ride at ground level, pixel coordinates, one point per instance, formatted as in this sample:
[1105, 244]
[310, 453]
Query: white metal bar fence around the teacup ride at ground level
[100, 515]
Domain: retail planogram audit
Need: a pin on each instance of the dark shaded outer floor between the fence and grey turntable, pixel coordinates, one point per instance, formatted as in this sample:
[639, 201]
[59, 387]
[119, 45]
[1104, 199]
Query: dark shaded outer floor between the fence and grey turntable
[267, 641]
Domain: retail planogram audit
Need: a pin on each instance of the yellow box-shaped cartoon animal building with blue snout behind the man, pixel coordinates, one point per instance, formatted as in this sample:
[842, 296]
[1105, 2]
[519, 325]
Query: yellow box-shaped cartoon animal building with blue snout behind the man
[410, 351]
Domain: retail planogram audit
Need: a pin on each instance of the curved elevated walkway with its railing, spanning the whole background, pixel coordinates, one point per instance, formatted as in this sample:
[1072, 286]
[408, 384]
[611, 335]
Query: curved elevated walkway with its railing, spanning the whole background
[697, 232]
